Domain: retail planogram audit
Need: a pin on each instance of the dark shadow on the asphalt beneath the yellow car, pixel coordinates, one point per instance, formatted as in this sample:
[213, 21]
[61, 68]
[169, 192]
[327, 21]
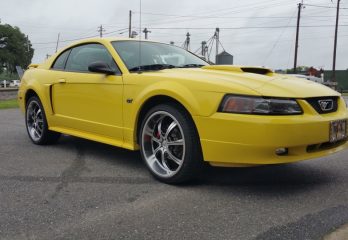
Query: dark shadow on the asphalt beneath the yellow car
[283, 177]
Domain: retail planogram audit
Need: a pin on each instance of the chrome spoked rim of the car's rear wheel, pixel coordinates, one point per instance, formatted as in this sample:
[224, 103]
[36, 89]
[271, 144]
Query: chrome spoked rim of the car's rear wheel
[34, 120]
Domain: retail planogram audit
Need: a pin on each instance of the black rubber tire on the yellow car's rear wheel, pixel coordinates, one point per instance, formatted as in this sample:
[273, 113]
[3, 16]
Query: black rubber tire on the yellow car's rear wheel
[46, 136]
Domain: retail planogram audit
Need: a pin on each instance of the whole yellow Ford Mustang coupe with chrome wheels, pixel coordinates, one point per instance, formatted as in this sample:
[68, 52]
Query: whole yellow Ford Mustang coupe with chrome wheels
[179, 110]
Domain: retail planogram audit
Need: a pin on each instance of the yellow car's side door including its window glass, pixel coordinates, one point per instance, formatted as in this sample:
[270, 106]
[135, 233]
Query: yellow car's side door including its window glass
[86, 102]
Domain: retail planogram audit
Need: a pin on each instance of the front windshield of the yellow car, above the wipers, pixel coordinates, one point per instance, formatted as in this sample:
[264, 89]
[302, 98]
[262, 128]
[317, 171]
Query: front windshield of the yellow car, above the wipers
[155, 56]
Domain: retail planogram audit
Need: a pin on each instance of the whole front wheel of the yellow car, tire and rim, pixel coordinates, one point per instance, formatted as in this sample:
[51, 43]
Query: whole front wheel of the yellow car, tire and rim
[170, 144]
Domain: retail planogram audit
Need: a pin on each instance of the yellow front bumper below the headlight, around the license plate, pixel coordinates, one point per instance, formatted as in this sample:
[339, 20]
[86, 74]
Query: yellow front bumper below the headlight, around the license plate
[239, 139]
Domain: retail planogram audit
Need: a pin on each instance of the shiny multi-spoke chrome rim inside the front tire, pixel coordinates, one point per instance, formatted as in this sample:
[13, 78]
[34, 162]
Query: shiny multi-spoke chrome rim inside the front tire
[163, 144]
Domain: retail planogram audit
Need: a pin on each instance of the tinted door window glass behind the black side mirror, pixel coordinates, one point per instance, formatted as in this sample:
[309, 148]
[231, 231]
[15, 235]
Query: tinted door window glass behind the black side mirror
[82, 56]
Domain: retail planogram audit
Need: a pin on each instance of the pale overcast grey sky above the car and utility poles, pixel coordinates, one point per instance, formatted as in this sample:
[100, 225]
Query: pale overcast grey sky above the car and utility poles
[255, 32]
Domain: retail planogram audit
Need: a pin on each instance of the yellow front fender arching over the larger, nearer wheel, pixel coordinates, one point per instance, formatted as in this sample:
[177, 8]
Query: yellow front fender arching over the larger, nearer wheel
[196, 102]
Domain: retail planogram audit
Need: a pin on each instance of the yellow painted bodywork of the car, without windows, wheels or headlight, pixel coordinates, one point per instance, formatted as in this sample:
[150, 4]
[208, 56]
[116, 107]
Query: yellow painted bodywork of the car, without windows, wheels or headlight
[106, 108]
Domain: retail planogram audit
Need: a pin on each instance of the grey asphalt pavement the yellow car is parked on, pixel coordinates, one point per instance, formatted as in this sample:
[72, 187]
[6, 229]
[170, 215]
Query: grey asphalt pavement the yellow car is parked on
[79, 189]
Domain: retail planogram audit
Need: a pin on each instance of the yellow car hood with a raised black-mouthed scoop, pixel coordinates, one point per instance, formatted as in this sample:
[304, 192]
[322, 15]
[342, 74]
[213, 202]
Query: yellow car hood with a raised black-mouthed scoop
[262, 81]
